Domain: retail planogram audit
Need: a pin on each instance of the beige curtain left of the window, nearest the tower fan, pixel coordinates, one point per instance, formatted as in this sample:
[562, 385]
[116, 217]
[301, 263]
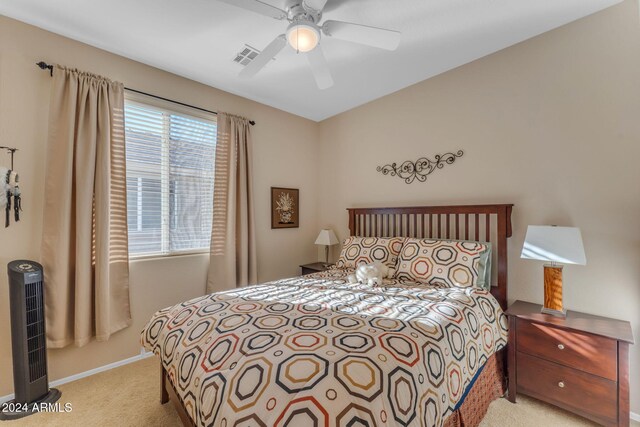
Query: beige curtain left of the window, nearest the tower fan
[84, 242]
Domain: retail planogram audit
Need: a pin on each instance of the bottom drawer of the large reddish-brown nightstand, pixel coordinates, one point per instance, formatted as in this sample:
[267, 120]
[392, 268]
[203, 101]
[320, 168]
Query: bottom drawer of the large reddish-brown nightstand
[589, 395]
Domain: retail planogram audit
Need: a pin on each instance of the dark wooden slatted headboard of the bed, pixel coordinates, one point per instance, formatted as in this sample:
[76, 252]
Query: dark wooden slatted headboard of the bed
[482, 223]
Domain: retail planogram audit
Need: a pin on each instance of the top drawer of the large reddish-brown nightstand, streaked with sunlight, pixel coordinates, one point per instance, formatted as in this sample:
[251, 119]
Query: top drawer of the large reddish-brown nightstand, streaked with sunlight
[589, 353]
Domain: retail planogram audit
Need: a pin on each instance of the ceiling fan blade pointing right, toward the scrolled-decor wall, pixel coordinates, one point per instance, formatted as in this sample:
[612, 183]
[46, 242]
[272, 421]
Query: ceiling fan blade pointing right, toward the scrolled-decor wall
[363, 34]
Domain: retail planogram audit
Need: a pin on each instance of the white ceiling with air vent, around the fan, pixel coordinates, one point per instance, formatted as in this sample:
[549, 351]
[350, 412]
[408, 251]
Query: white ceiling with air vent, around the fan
[198, 39]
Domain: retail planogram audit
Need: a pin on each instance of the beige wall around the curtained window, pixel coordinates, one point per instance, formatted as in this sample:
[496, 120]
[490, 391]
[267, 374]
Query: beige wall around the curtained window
[285, 155]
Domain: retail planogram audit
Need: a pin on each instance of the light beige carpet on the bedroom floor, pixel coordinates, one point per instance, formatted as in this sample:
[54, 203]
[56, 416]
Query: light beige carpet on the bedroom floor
[130, 396]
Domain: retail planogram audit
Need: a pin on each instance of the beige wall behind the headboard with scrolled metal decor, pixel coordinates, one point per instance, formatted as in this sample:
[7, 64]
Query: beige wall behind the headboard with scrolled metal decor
[551, 125]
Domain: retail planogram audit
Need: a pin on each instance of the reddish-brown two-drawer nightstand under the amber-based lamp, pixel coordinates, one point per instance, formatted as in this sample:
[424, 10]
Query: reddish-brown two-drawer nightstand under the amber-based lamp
[579, 363]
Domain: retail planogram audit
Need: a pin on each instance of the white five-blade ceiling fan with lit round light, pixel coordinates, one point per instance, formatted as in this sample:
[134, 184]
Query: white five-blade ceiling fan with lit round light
[304, 32]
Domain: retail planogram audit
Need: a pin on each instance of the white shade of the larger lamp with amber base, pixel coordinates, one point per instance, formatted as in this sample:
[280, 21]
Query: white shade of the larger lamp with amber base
[555, 244]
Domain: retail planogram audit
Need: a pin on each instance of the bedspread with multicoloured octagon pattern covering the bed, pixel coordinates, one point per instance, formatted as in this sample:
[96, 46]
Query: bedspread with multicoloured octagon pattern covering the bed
[318, 351]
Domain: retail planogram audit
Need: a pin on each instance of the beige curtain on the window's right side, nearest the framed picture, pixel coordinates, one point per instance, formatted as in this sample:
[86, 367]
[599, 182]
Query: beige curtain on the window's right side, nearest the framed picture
[233, 248]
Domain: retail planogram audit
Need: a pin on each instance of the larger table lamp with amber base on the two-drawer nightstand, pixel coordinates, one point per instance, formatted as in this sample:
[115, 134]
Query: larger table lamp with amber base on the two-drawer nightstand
[558, 245]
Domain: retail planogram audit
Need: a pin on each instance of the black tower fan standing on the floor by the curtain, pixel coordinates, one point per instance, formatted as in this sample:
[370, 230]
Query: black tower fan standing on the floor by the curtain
[28, 340]
